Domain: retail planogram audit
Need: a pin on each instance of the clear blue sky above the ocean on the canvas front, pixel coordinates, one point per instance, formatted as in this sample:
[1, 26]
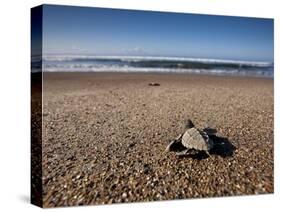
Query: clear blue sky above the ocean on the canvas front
[97, 31]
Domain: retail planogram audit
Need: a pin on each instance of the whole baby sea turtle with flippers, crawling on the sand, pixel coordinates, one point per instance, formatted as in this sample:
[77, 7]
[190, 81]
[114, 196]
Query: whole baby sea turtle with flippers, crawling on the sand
[192, 139]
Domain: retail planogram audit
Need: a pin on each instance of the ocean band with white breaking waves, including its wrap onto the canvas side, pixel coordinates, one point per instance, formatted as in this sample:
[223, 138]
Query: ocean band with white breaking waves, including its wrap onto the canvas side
[86, 63]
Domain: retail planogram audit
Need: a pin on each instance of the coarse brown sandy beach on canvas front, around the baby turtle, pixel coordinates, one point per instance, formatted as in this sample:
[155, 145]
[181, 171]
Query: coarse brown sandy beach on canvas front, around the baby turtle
[104, 135]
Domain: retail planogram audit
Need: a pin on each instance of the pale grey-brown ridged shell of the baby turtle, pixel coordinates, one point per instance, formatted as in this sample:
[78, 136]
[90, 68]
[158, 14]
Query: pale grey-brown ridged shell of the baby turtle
[195, 139]
